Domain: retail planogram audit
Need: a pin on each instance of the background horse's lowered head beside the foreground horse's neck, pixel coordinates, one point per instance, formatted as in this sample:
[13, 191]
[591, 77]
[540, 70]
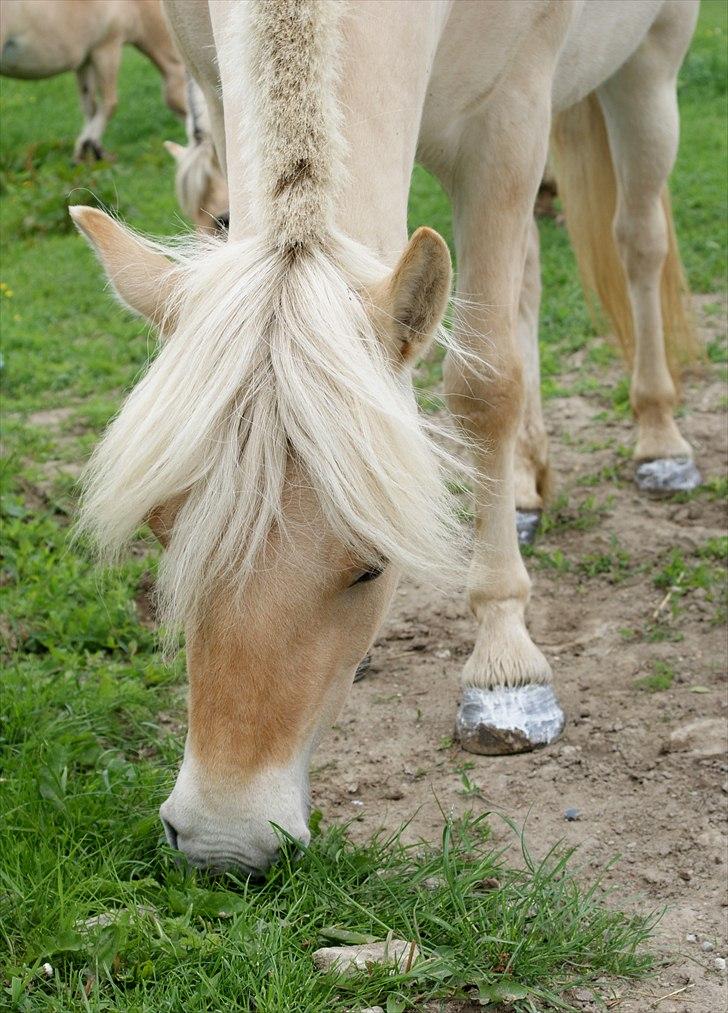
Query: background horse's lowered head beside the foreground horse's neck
[201, 186]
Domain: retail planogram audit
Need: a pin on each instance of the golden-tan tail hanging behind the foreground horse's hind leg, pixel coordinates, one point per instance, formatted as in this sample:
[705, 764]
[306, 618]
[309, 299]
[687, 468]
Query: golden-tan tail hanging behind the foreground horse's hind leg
[588, 187]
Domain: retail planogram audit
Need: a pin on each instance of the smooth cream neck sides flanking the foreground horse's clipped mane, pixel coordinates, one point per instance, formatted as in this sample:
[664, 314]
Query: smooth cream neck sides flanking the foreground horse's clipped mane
[385, 55]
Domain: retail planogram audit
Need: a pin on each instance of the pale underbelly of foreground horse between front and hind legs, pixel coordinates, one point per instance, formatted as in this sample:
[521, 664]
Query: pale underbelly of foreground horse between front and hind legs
[602, 38]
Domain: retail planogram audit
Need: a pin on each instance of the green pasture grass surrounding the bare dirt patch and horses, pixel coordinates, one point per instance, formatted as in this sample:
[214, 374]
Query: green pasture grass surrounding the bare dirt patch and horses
[91, 731]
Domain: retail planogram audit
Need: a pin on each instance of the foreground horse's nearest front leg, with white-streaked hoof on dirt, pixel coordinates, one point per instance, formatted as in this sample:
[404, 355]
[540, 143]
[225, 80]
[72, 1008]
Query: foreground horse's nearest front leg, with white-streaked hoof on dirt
[508, 704]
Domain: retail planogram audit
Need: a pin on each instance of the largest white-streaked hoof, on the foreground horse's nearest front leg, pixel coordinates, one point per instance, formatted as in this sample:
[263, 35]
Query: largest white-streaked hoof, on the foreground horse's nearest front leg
[509, 720]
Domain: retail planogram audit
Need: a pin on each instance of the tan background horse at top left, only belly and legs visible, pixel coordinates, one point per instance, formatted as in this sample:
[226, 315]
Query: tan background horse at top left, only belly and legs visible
[43, 38]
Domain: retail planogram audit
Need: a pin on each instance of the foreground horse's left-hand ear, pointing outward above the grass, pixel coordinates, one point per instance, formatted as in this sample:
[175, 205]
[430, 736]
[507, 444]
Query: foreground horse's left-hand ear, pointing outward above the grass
[142, 279]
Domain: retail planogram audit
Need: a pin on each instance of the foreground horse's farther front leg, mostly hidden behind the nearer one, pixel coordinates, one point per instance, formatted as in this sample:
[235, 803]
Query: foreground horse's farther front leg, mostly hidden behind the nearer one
[532, 448]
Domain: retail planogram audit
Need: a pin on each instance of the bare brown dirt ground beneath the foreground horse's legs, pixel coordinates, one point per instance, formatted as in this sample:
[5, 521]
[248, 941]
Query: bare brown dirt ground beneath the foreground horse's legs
[663, 809]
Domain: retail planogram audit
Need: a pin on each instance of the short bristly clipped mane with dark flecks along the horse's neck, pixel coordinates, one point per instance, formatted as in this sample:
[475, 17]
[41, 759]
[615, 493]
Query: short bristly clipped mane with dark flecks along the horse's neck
[294, 69]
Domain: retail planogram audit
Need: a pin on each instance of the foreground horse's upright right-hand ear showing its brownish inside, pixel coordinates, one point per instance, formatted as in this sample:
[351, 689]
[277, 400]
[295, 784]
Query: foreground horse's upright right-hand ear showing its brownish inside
[412, 303]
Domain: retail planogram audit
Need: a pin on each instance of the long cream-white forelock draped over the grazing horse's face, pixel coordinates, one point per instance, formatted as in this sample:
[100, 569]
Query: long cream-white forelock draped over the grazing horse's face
[275, 360]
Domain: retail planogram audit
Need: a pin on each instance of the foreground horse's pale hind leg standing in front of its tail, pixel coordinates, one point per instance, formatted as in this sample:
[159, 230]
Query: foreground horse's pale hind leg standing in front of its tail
[640, 107]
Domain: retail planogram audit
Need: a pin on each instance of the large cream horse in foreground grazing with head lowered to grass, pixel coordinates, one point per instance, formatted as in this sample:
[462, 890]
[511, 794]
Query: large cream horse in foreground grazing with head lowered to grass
[274, 445]
